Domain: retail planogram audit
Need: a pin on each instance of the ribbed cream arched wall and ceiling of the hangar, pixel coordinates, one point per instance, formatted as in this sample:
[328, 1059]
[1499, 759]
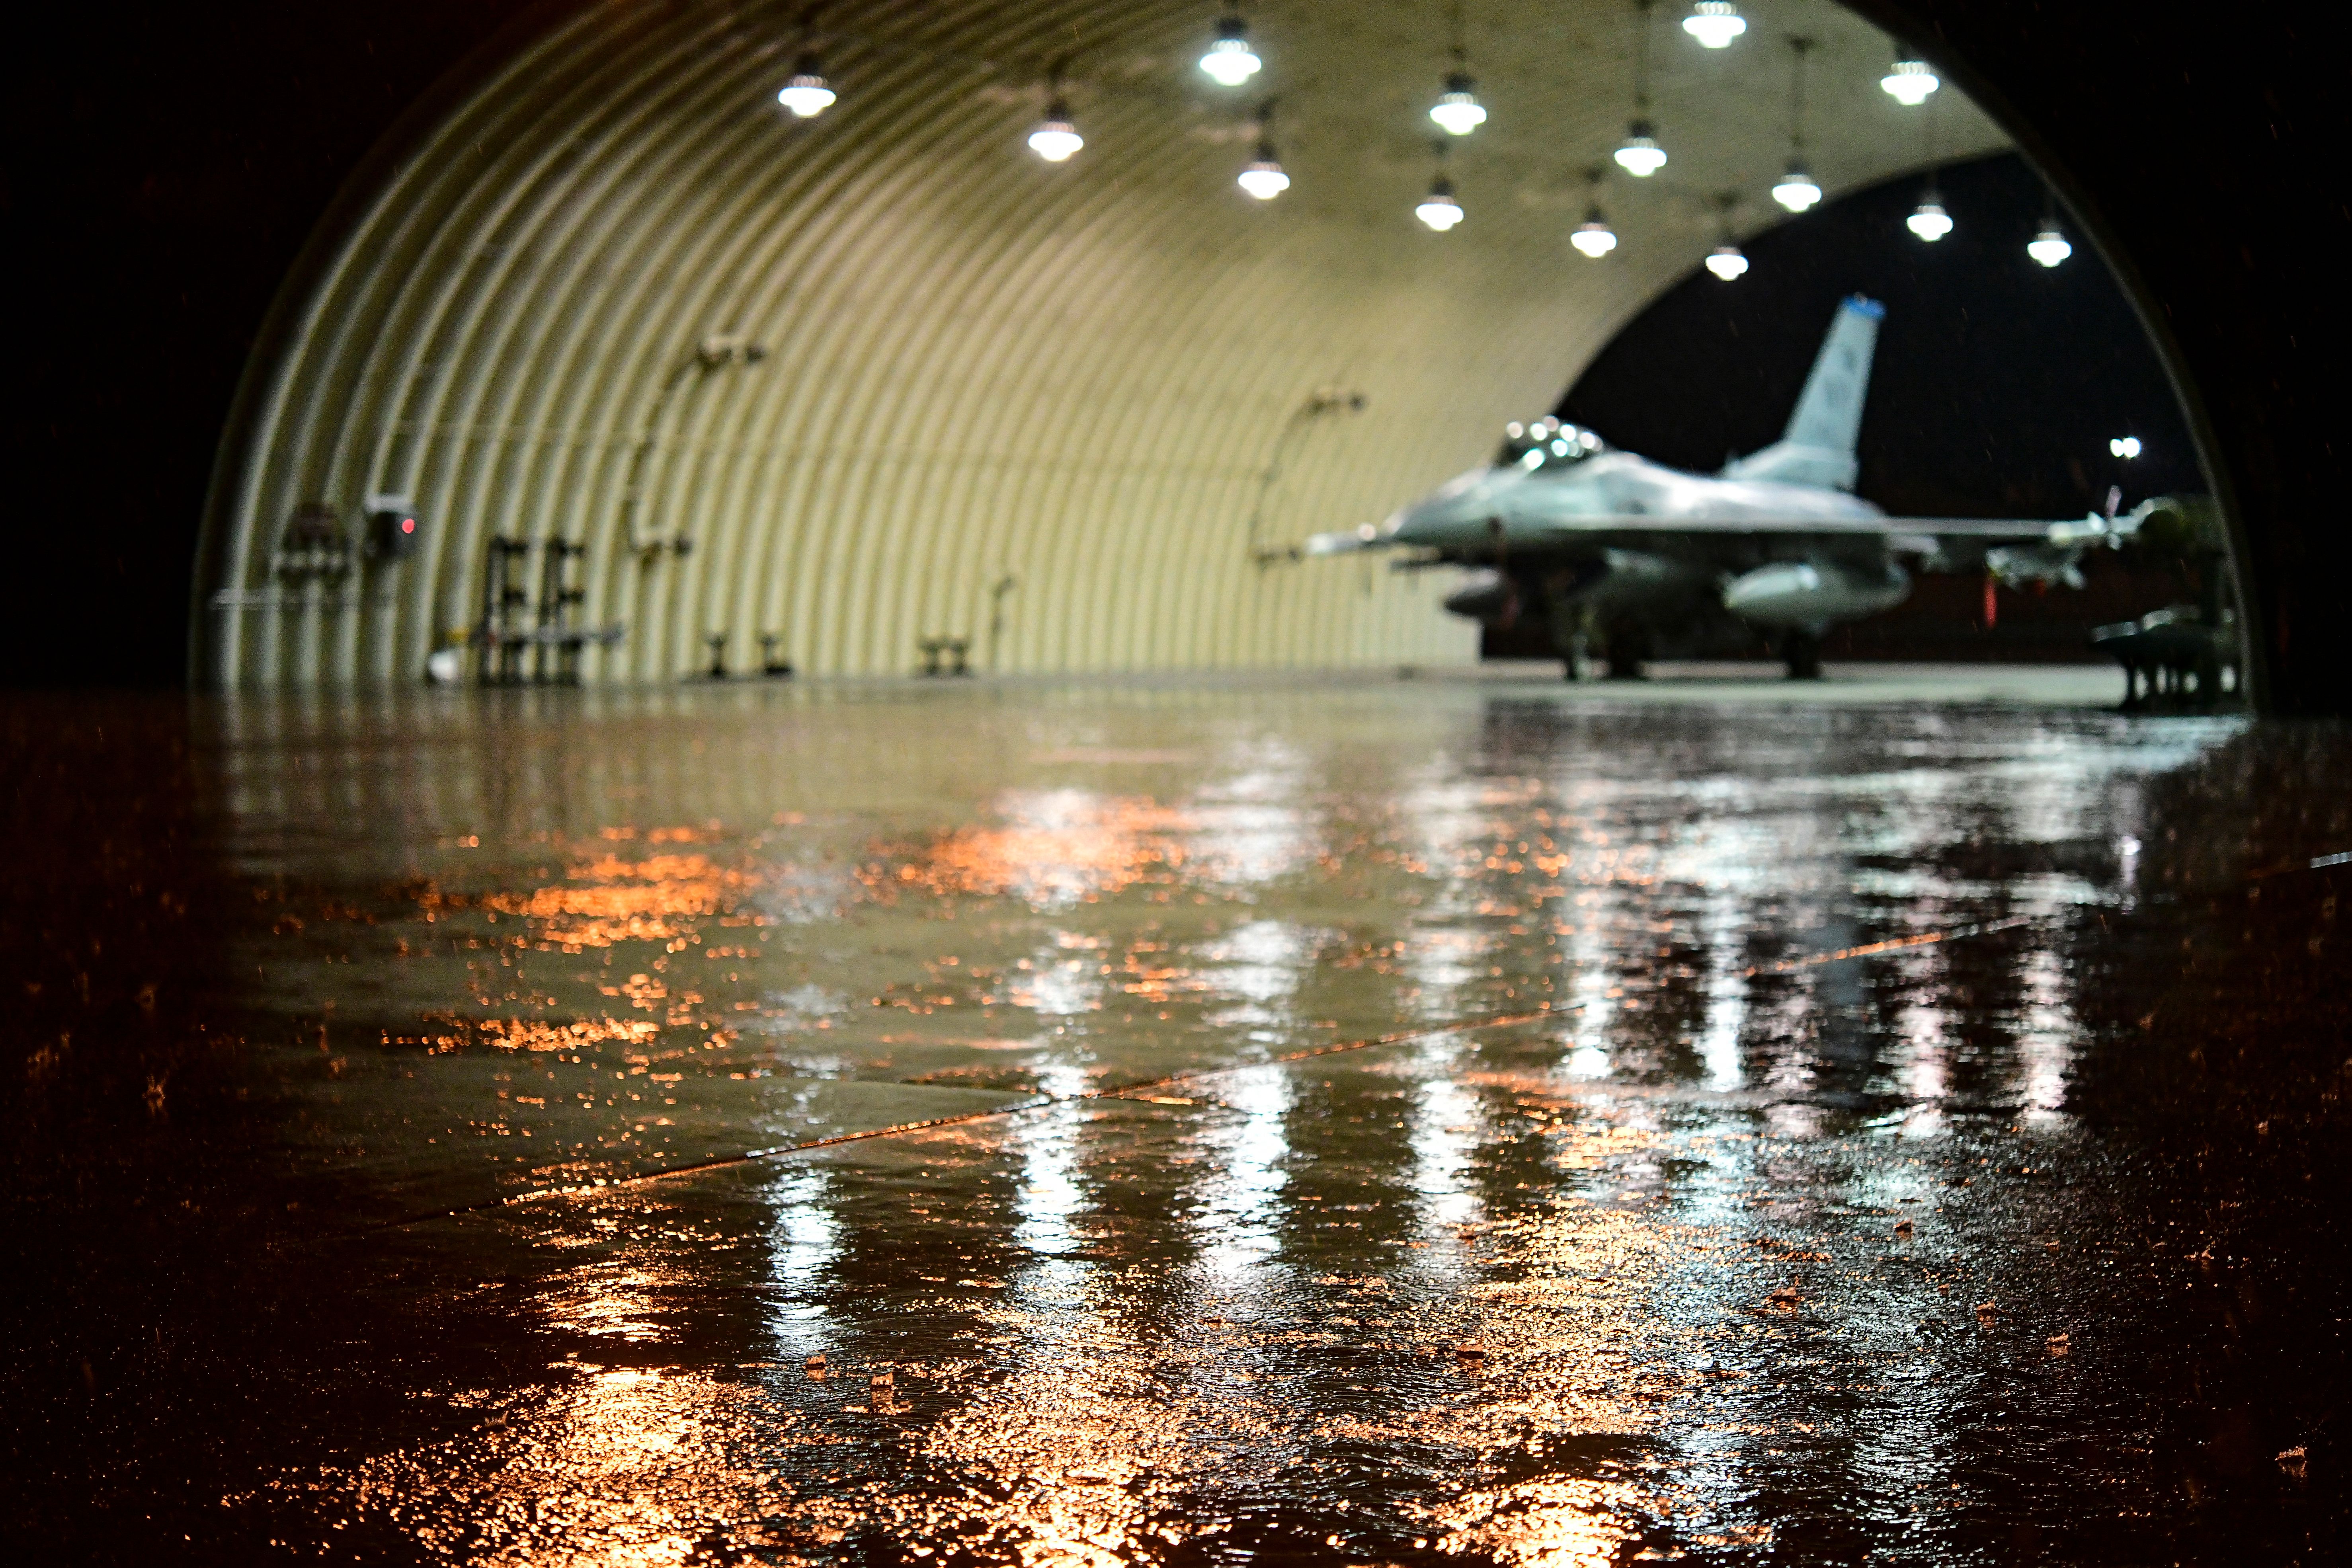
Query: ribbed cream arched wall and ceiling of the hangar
[1085, 380]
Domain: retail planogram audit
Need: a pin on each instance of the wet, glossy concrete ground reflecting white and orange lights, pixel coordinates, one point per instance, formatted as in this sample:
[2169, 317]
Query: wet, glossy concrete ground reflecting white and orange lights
[1361, 1123]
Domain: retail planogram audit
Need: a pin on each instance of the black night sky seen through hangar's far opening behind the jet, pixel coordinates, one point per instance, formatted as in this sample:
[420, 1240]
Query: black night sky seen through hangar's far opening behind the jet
[1996, 389]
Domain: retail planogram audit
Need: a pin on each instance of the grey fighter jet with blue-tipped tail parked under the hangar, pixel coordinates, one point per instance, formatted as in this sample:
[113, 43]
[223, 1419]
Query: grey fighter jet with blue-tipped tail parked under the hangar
[1638, 561]
